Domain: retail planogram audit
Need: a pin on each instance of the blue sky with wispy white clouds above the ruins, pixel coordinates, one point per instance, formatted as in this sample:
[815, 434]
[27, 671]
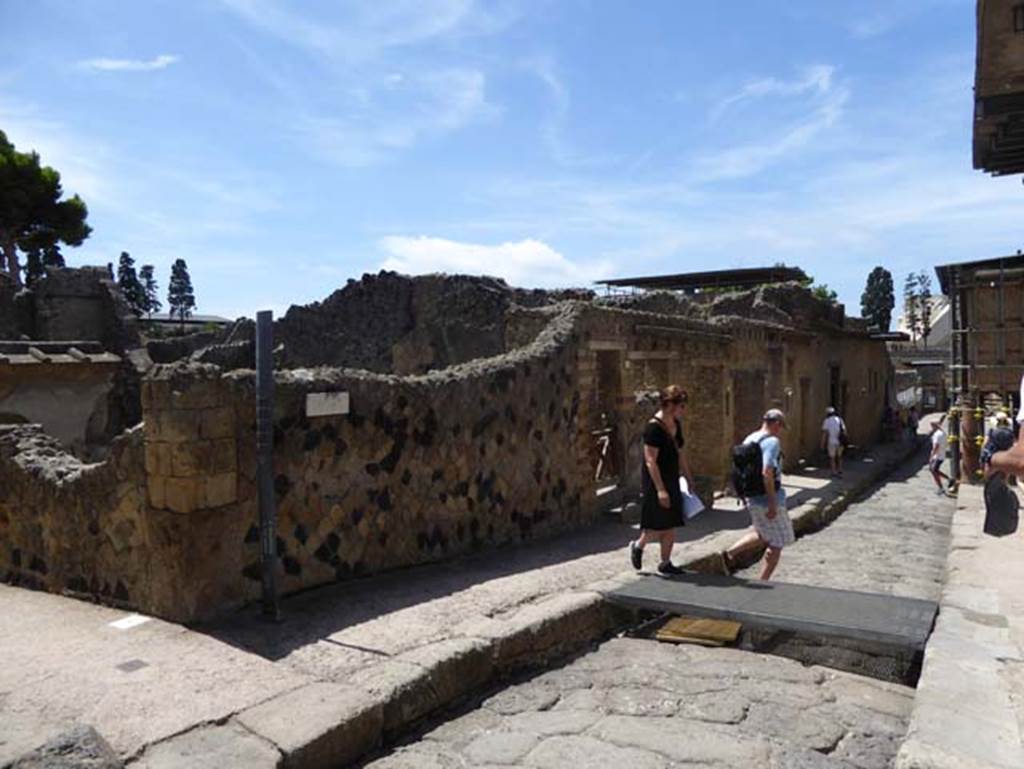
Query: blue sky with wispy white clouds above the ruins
[284, 148]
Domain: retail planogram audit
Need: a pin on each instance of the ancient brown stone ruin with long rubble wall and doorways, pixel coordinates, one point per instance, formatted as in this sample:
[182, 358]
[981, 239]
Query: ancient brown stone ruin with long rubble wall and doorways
[481, 415]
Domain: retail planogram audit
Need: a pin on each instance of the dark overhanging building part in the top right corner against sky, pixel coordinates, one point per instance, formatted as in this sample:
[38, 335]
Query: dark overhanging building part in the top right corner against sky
[999, 88]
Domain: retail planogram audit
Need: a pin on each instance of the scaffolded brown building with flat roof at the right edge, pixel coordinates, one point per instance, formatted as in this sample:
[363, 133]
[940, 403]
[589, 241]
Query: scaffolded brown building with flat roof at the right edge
[977, 370]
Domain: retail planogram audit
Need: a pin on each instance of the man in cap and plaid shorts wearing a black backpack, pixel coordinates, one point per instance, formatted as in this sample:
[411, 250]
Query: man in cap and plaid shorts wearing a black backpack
[773, 528]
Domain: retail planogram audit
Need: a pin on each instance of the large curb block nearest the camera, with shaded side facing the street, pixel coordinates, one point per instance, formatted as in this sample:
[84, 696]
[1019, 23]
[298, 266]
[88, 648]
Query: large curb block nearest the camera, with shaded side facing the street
[319, 727]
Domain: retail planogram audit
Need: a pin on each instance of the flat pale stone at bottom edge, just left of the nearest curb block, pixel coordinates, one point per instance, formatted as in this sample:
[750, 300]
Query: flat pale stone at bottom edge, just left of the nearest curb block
[215, 747]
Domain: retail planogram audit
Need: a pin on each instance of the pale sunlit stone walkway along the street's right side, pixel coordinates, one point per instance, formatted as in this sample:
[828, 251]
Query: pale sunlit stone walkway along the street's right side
[964, 716]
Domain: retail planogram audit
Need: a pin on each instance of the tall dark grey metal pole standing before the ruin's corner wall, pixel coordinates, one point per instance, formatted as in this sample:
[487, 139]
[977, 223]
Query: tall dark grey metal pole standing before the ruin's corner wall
[265, 462]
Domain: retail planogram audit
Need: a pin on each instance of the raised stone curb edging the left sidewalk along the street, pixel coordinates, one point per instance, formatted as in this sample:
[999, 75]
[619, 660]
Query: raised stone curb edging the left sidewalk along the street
[325, 725]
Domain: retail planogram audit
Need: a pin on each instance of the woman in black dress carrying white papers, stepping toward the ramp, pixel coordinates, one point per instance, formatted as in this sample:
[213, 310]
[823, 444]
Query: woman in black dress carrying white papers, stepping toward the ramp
[664, 463]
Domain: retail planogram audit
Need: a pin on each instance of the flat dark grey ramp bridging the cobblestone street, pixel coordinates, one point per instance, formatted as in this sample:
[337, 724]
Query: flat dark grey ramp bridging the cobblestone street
[886, 620]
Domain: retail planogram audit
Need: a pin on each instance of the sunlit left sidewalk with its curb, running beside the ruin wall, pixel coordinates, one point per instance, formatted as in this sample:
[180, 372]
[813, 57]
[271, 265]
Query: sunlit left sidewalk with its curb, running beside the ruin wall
[351, 663]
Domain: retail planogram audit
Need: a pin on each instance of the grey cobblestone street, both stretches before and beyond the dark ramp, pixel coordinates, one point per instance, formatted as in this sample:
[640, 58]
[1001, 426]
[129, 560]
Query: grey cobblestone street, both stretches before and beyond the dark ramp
[642, 704]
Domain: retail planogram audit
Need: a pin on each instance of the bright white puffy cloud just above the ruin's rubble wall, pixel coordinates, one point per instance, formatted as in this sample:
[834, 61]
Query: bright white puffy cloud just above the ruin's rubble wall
[528, 264]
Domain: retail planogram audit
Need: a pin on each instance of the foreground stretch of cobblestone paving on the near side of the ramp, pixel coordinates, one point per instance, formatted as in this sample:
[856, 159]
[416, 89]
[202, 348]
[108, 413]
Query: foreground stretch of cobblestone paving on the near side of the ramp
[641, 705]
